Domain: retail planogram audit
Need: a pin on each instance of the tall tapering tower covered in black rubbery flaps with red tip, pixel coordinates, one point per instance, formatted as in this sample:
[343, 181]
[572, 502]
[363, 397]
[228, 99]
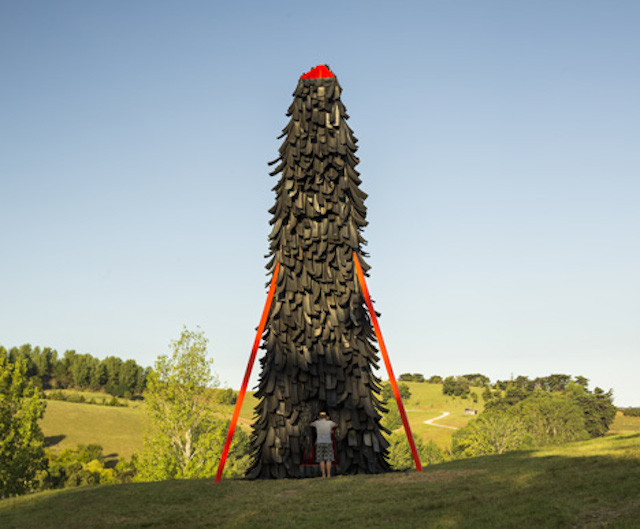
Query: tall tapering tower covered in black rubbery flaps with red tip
[318, 341]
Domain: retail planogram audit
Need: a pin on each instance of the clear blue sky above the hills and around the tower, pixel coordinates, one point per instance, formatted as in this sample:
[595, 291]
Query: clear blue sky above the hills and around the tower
[499, 146]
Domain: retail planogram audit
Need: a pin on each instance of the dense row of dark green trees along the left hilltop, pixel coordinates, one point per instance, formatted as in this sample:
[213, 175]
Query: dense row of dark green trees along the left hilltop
[46, 369]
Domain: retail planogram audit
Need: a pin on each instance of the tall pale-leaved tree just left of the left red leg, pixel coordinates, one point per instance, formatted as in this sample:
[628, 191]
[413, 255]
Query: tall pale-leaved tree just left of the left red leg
[184, 438]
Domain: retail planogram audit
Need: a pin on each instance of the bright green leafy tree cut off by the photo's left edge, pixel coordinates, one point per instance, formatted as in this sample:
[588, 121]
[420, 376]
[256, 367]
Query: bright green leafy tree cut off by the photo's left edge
[21, 440]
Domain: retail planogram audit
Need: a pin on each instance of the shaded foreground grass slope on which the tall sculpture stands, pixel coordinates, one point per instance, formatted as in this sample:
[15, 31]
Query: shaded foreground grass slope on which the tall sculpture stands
[588, 484]
